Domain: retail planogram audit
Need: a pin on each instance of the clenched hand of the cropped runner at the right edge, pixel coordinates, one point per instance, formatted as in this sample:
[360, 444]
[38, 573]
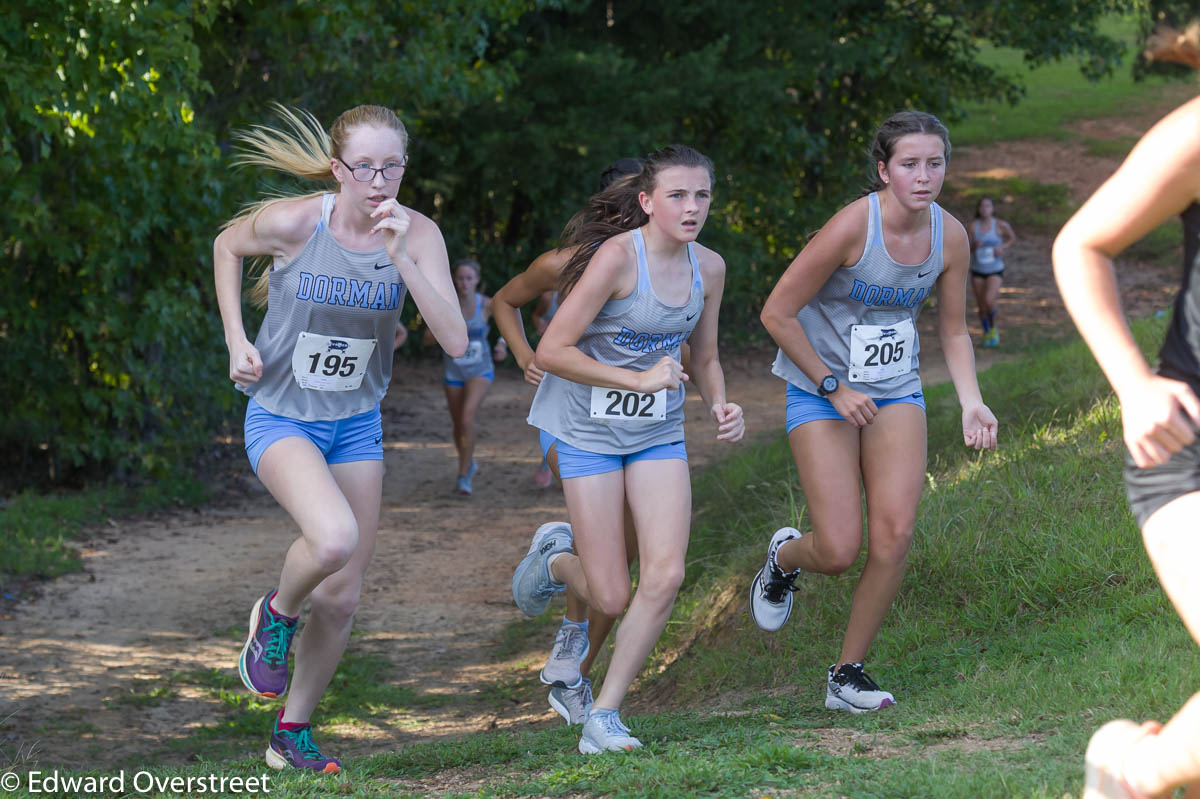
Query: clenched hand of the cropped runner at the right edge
[1160, 418]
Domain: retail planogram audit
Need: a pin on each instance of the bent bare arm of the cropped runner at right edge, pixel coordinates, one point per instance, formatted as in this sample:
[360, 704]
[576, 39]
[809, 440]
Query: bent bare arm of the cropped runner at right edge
[1160, 179]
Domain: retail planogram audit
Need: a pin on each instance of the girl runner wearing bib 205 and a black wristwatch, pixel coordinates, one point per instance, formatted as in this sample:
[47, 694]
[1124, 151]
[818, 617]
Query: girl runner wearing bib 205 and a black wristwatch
[845, 319]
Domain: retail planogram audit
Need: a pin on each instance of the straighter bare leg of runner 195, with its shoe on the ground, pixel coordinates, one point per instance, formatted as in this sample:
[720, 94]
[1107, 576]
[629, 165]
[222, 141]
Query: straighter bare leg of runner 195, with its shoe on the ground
[334, 602]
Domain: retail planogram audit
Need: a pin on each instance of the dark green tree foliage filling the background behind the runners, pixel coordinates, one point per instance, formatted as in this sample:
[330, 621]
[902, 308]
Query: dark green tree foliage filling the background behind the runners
[117, 117]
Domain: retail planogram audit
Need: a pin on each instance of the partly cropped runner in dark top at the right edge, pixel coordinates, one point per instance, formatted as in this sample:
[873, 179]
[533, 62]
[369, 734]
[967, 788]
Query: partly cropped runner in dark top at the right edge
[1160, 410]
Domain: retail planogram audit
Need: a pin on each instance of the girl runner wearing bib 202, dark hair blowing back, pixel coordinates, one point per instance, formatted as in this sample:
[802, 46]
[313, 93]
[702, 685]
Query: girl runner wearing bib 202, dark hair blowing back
[610, 407]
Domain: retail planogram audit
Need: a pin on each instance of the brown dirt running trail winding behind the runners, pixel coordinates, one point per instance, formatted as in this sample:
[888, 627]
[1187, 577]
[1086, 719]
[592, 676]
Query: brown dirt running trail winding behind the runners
[165, 594]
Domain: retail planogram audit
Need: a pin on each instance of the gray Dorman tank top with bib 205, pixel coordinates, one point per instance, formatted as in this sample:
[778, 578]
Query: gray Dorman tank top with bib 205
[863, 321]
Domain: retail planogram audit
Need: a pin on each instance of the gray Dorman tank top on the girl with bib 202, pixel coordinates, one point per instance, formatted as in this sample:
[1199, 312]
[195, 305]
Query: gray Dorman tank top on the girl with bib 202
[633, 333]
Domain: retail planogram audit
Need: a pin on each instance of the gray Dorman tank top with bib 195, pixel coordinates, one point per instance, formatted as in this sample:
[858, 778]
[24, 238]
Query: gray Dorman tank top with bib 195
[331, 321]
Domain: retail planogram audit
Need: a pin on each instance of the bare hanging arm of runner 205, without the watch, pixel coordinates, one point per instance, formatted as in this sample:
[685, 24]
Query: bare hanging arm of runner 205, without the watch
[980, 425]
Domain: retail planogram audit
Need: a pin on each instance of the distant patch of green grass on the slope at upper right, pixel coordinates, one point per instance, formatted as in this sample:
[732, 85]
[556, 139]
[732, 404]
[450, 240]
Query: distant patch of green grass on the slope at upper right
[1058, 95]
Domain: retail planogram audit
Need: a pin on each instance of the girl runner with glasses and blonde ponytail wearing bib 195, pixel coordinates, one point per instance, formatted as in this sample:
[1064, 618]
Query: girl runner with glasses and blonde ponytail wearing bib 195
[339, 268]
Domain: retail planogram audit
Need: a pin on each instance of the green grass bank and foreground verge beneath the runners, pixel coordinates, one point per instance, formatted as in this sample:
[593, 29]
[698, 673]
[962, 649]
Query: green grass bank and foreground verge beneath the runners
[1030, 616]
